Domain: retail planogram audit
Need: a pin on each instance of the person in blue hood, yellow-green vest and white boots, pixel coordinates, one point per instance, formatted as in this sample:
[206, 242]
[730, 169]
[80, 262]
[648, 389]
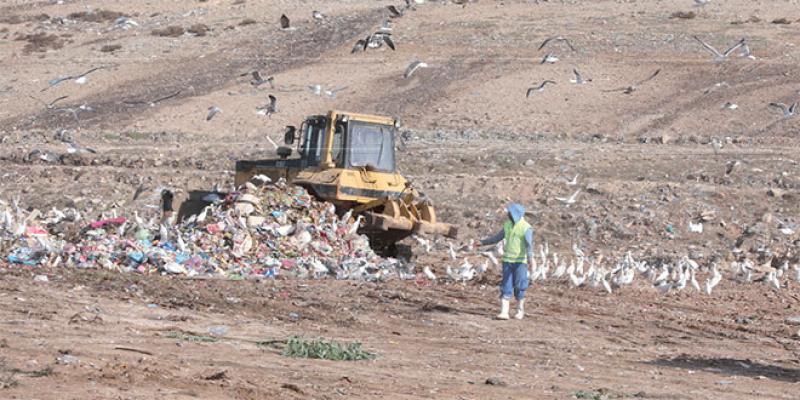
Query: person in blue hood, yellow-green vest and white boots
[517, 255]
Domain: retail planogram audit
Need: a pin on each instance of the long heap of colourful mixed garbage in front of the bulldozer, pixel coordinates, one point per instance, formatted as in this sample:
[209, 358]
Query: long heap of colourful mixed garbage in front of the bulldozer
[261, 231]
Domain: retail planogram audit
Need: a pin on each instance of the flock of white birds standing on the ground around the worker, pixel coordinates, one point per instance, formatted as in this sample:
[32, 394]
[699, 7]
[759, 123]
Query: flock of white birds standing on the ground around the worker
[581, 270]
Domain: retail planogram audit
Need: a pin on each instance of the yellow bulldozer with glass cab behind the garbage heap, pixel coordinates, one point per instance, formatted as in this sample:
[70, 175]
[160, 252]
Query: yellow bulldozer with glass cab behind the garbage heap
[348, 160]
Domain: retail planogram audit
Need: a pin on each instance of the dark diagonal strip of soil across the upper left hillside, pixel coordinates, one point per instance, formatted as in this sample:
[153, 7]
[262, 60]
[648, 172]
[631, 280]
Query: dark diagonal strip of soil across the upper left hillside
[191, 78]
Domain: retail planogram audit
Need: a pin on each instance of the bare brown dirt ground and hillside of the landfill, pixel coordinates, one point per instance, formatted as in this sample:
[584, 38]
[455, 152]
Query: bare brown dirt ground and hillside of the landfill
[648, 162]
